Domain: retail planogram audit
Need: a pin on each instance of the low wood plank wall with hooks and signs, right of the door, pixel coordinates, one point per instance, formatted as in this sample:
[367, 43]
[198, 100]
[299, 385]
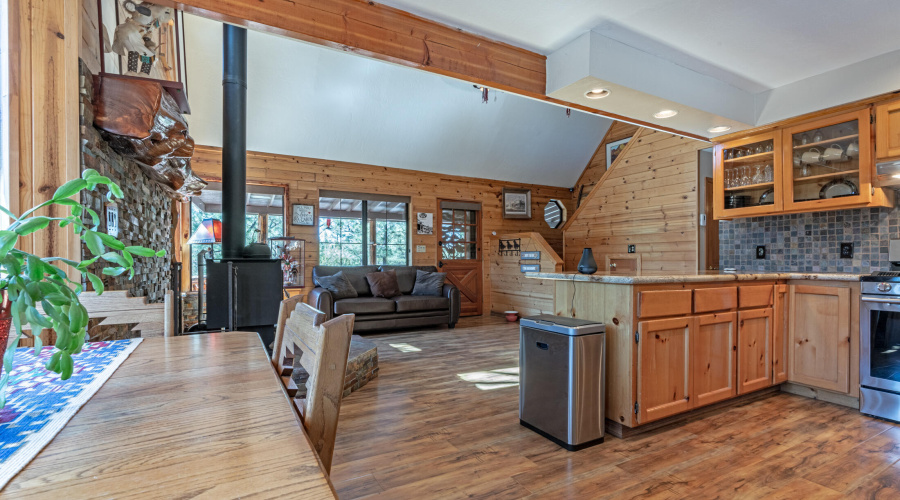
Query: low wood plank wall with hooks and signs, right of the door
[510, 289]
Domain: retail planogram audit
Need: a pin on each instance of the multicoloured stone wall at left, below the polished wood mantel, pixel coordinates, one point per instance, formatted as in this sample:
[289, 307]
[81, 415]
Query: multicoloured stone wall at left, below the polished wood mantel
[145, 214]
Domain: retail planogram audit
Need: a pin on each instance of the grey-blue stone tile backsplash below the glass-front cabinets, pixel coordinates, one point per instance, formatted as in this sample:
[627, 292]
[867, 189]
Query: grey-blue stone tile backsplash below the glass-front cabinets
[811, 241]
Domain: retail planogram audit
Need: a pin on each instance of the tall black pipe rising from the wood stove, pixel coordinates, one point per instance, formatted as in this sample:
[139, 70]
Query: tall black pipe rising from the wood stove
[234, 141]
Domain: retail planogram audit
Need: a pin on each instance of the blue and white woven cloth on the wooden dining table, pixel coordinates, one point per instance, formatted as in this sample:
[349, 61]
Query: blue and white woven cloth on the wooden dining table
[39, 404]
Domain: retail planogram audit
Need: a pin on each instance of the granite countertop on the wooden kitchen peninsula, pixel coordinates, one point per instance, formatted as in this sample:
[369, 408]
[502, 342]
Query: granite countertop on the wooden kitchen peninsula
[650, 278]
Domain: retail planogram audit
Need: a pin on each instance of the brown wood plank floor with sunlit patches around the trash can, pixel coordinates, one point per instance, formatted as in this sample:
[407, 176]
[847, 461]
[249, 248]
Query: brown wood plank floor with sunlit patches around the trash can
[441, 421]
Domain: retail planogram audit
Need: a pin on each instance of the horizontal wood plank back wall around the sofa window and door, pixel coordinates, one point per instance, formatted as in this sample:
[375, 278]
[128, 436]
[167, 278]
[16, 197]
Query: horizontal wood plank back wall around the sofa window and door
[305, 176]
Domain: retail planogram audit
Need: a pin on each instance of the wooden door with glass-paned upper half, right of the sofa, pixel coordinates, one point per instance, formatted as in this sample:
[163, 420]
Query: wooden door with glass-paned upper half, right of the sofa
[459, 238]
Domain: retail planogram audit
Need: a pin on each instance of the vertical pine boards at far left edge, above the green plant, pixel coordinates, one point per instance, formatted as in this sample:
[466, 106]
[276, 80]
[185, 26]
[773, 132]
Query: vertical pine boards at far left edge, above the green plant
[44, 114]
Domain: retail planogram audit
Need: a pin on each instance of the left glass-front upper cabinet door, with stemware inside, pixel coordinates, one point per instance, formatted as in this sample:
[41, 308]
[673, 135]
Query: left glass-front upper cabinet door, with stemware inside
[747, 177]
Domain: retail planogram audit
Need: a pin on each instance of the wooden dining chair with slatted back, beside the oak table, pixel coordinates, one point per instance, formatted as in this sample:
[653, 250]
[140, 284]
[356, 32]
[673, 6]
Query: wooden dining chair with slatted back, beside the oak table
[323, 348]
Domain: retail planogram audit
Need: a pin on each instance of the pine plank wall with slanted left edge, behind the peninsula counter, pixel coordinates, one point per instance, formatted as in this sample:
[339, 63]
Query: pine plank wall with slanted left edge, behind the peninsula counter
[648, 199]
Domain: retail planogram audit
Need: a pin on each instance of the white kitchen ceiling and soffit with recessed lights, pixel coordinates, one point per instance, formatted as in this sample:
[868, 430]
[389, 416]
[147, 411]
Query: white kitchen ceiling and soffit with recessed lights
[718, 62]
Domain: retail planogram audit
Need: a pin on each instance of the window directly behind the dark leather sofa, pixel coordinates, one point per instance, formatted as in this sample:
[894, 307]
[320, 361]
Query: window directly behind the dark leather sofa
[357, 229]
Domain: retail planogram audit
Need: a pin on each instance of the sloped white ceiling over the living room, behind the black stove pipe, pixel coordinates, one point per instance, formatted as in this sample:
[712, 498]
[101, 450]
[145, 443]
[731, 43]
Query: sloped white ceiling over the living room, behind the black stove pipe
[306, 100]
